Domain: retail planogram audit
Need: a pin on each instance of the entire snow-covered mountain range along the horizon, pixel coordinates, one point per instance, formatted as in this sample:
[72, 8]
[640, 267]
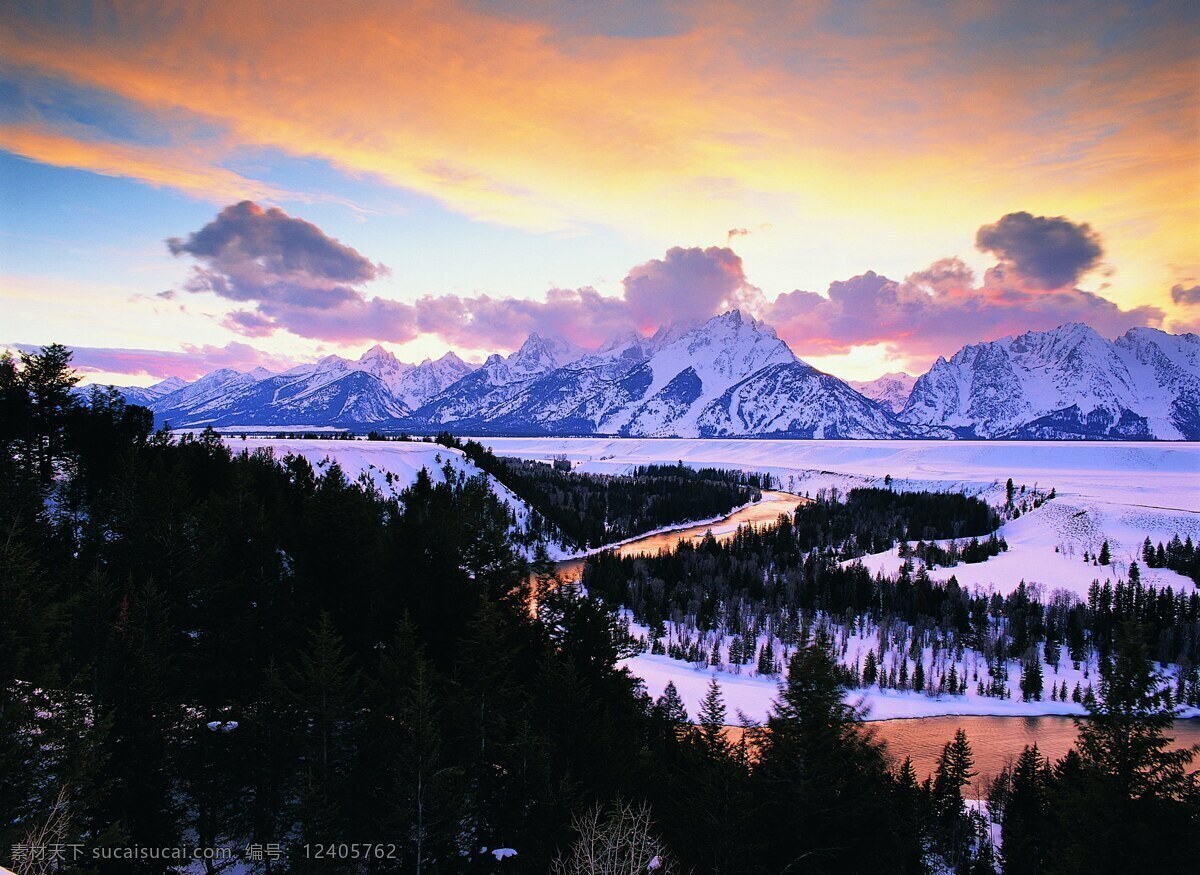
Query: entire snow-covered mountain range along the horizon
[728, 377]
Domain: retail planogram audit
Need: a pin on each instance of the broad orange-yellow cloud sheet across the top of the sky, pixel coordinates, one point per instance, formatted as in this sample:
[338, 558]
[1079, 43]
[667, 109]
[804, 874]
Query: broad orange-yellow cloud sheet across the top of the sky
[839, 134]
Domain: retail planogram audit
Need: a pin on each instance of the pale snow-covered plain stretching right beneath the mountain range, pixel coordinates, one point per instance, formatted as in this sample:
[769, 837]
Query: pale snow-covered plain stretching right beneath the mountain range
[1120, 493]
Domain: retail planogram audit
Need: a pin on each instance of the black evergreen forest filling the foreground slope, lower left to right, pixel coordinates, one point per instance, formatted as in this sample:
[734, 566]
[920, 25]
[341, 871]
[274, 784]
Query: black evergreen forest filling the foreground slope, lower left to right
[200, 648]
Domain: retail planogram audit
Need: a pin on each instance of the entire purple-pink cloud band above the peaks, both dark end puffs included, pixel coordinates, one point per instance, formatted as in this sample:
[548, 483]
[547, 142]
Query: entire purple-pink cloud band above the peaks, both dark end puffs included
[298, 280]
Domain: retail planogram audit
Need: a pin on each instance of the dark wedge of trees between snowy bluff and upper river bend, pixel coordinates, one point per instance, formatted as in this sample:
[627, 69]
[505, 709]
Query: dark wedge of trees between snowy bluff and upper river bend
[596, 510]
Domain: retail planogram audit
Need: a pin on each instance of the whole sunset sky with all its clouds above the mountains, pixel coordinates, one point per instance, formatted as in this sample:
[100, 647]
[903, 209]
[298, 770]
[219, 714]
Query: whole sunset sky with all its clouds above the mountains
[185, 187]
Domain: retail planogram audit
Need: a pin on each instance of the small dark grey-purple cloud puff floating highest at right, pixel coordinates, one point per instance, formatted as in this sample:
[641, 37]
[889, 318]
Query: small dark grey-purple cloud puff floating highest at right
[1047, 253]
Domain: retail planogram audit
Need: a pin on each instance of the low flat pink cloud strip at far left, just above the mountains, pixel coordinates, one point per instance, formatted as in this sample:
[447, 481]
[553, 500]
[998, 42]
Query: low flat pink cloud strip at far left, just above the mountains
[188, 363]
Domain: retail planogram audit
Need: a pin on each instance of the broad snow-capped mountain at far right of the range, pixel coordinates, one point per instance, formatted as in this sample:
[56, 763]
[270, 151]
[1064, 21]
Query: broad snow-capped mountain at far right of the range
[1066, 383]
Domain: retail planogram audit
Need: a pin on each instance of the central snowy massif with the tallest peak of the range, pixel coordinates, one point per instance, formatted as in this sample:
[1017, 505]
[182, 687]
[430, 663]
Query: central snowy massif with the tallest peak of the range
[643, 387]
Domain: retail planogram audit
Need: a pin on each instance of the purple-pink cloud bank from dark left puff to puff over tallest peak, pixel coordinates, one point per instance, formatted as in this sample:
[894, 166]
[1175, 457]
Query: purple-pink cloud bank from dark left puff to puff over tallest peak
[299, 280]
